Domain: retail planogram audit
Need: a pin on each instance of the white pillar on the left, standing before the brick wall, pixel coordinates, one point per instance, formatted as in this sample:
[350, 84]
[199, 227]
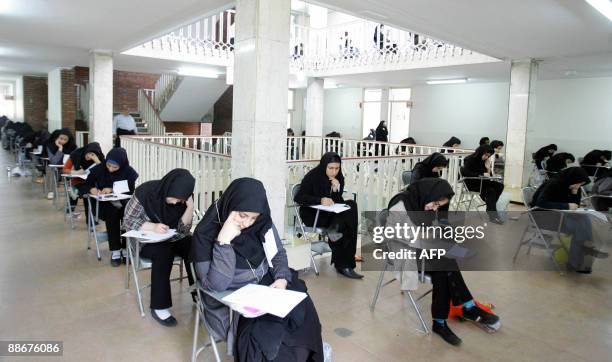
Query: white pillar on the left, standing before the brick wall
[101, 98]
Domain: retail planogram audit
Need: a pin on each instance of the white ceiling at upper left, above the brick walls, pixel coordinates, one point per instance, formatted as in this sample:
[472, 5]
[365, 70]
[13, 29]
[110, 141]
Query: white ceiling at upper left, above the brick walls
[37, 36]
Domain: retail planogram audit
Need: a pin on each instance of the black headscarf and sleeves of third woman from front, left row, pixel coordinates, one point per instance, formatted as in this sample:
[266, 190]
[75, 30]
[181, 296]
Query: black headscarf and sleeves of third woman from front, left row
[101, 177]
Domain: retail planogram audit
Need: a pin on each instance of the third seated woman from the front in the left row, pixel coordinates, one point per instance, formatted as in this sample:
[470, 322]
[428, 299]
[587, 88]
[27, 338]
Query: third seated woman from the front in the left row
[100, 181]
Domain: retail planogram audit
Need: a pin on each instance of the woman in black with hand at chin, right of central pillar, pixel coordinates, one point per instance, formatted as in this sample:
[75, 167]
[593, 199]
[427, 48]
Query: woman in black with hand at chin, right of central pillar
[324, 185]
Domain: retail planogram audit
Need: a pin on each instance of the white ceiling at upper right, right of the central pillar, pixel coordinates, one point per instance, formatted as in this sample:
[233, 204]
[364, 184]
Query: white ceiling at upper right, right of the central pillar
[567, 35]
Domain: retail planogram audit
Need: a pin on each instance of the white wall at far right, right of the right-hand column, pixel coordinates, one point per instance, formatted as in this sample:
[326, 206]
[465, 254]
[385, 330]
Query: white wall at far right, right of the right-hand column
[575, 114]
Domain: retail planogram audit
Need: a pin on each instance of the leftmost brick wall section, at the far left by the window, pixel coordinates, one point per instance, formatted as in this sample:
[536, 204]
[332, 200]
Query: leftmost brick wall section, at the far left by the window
[35, 101]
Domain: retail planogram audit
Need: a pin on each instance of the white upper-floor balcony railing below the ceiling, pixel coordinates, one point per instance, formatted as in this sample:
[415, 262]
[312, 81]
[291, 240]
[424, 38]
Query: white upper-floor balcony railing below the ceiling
[355, 47]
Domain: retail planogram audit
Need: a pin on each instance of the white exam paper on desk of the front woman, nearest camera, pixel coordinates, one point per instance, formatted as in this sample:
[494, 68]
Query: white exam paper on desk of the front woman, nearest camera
[260, 298]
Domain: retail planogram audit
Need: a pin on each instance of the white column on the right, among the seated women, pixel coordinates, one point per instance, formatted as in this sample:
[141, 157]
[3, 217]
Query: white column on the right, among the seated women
[523, 79]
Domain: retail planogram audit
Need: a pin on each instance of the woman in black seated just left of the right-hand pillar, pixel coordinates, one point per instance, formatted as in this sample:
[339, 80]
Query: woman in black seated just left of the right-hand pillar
[475, 165]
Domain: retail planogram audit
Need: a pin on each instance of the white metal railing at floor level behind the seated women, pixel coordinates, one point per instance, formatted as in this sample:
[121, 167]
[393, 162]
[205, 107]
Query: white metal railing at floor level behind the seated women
[374, 179]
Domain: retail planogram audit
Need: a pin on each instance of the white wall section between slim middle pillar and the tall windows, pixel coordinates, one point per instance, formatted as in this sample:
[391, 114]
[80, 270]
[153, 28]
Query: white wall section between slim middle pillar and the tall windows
[342, 112]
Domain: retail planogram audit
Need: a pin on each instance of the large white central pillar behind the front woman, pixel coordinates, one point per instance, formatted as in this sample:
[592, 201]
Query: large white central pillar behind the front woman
[261, 80]
